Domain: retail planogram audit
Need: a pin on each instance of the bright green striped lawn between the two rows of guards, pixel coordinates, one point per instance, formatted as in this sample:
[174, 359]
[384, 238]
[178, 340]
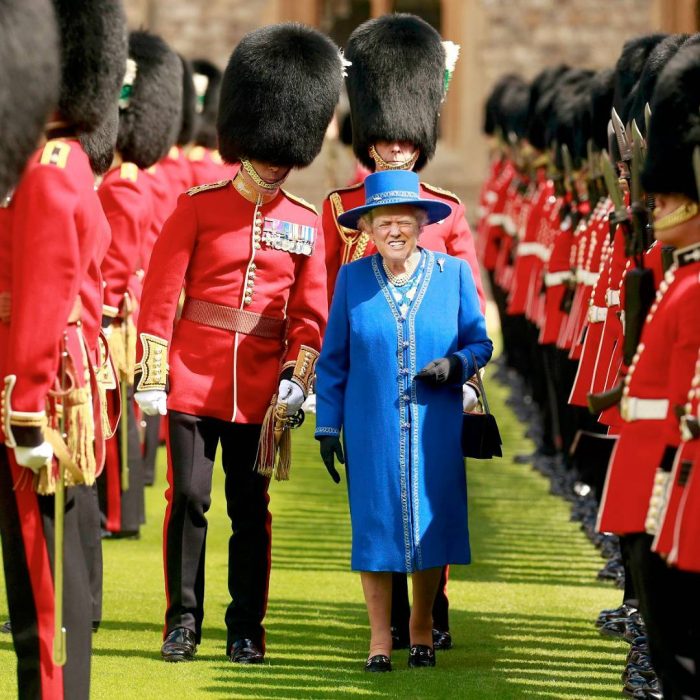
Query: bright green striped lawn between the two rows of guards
[521, 615]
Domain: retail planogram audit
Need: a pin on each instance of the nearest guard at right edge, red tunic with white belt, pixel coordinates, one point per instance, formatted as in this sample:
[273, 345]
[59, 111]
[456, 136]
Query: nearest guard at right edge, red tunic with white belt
[657, 381]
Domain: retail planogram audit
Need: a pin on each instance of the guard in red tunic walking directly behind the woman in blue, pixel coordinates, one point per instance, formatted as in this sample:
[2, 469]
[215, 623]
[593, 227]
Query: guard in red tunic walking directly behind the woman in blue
[396, 85]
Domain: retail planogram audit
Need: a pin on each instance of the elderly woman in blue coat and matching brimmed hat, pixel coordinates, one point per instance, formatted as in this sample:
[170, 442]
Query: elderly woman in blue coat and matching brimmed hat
[404, 333]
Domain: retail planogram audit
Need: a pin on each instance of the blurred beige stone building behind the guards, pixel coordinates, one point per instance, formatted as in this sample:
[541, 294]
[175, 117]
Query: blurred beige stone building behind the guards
[495, 35]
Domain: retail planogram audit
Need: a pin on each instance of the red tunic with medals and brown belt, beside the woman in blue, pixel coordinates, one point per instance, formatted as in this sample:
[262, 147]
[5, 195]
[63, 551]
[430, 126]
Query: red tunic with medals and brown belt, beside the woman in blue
[209, 244]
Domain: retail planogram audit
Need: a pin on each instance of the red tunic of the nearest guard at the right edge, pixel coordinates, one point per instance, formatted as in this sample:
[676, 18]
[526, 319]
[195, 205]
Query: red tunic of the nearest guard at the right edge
[662, 370]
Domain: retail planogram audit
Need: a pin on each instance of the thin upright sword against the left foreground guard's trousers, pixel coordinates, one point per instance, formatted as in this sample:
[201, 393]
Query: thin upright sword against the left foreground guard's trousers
[59, 637]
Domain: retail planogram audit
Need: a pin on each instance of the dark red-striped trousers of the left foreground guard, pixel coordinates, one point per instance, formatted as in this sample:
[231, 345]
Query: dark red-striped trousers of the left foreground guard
[27, 529]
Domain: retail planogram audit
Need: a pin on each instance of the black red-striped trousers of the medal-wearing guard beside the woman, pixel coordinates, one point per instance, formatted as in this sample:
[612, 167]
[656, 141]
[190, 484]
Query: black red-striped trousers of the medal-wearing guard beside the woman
[192, 444]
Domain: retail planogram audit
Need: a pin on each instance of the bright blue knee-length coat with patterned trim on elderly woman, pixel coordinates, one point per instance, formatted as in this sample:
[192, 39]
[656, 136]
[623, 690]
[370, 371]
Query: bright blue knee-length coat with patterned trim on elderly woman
[405, 471]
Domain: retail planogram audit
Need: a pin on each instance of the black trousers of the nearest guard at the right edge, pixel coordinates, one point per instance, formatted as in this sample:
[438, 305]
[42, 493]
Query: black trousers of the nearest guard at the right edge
[669, 603]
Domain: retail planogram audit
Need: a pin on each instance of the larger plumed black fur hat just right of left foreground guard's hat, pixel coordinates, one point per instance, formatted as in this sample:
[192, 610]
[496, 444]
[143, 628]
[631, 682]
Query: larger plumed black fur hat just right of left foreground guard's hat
[149, 118]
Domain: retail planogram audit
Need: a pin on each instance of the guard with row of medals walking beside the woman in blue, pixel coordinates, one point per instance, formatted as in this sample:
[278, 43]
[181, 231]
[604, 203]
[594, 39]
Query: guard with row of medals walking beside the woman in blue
[251, 260]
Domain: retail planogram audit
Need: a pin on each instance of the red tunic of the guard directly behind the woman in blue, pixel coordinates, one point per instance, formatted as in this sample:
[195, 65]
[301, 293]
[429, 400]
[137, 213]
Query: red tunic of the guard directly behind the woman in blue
[451, 235]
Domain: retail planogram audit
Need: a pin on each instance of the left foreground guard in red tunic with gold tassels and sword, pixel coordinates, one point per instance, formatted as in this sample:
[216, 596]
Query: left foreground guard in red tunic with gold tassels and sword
[52, 233]
